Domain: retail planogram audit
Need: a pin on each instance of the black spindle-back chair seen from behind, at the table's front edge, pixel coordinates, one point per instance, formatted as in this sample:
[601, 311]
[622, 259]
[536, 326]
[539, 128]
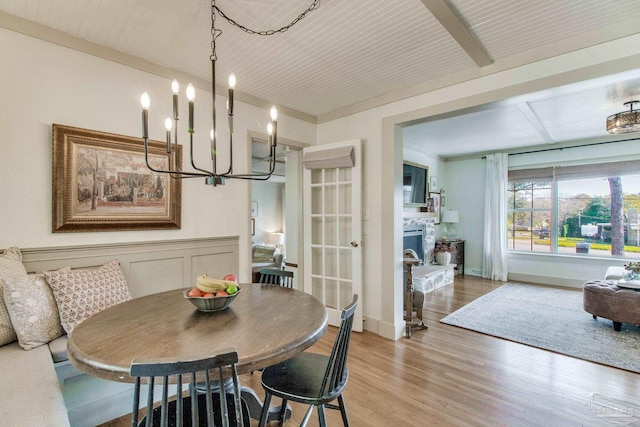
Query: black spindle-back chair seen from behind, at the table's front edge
[207, 405]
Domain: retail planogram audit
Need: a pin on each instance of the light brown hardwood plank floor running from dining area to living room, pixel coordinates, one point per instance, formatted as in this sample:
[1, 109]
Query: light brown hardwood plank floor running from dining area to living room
[448, 376]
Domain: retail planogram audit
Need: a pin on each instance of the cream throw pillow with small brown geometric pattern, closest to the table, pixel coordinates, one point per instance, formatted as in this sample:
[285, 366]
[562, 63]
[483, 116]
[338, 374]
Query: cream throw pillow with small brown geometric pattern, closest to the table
[81, 293]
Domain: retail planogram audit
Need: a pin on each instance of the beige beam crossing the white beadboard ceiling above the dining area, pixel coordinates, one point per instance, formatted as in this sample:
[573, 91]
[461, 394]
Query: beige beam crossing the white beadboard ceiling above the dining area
[443, 13]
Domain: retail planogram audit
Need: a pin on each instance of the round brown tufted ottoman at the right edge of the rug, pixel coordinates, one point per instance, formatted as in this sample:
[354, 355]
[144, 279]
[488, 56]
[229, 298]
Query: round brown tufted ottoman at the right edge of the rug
[605, 299]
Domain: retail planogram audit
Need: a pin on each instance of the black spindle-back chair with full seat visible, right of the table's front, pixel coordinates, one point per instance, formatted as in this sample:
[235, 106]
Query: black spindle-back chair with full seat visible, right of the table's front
[312, 379]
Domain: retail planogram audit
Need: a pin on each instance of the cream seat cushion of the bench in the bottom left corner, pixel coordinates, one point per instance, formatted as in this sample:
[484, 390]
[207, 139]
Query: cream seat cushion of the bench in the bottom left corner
[30, 379]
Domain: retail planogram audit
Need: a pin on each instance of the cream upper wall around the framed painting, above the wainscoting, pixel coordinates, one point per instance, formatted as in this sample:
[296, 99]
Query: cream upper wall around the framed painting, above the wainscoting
[44, 83]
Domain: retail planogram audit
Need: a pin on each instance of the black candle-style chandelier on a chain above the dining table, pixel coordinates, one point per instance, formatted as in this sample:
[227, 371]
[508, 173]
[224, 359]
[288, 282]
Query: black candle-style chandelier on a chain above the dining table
[211, 175]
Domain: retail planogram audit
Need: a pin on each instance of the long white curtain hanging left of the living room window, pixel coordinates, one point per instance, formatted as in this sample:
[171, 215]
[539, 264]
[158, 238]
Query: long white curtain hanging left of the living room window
[494, 262]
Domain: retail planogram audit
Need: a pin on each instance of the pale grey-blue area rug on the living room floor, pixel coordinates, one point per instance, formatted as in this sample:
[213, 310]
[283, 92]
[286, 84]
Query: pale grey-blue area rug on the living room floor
[551, 319]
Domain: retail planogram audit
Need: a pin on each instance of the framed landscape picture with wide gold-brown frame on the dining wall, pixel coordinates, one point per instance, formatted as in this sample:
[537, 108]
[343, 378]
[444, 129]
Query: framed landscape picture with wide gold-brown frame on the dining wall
[101, 183]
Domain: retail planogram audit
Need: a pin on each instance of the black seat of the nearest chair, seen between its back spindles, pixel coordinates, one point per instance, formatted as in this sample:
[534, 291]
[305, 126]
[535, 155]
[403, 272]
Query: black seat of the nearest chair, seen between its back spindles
[202, 411]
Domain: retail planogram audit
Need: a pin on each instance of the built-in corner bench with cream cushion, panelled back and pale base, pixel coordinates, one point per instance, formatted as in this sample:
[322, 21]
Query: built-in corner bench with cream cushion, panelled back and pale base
[41, 387]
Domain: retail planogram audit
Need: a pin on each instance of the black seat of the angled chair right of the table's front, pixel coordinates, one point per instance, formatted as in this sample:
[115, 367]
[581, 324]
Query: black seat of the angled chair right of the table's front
[299, 379]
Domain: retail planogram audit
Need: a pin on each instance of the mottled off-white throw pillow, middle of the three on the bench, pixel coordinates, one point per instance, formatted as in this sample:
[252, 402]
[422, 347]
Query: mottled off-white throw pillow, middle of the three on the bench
[33, 310]
